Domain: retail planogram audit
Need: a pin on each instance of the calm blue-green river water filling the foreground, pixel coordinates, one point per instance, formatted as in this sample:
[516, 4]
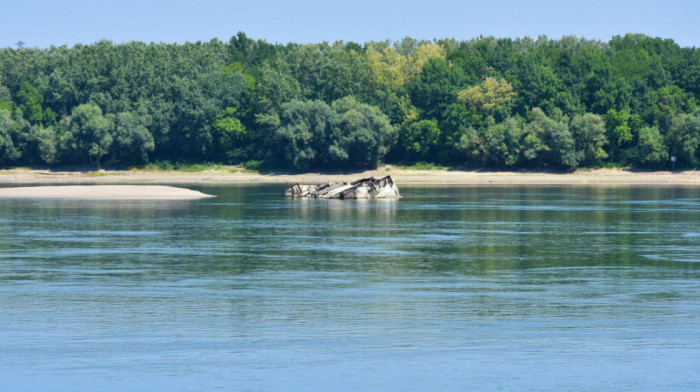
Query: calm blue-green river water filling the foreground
[446, 289]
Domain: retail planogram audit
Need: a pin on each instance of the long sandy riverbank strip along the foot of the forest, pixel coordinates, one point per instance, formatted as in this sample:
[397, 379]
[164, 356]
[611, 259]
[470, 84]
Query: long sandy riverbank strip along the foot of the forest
[234, 175]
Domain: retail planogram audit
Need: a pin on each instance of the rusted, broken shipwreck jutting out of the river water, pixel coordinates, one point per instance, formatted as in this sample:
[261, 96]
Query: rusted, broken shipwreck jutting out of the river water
[365, 188]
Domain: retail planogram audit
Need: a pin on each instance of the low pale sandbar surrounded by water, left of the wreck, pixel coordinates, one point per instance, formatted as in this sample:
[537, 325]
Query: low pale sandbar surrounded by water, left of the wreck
[105, 192]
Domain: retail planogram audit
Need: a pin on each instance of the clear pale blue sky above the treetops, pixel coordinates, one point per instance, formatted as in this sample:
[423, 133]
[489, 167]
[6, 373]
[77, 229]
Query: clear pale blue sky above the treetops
[42, 23]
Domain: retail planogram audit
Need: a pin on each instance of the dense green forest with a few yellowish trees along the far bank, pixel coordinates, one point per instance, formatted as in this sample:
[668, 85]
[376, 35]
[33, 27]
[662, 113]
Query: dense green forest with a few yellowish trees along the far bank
[483, 103]
